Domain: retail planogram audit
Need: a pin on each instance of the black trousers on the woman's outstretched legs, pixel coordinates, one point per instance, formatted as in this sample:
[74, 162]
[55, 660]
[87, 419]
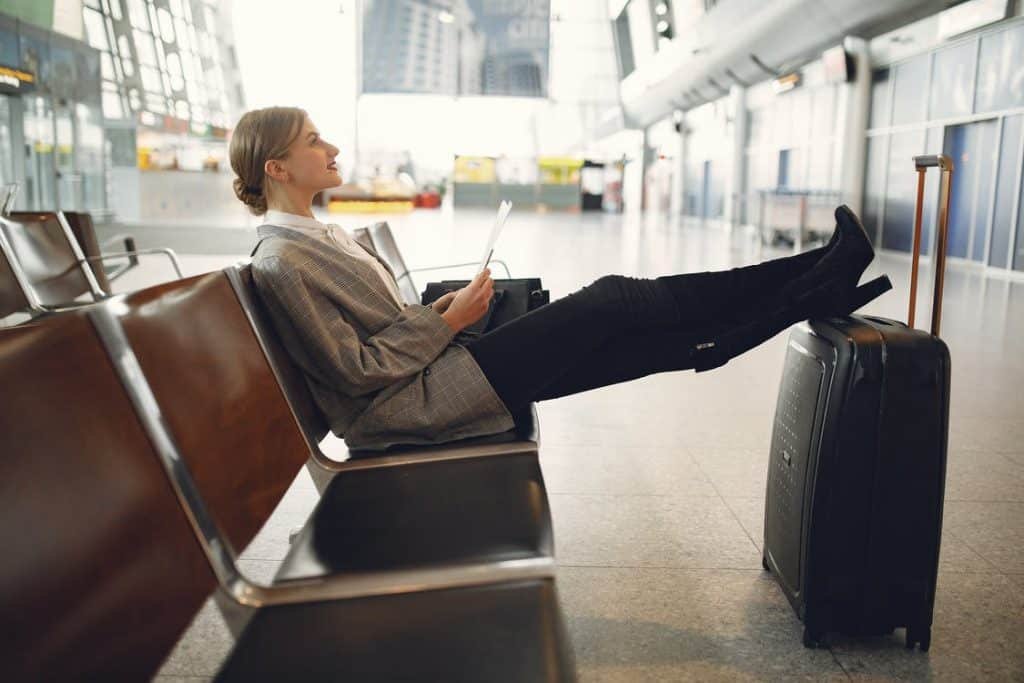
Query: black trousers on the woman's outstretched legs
[620, 329]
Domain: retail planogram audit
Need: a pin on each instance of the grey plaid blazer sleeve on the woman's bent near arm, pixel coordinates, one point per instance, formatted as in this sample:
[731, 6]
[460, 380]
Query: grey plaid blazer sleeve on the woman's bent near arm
[416, 337]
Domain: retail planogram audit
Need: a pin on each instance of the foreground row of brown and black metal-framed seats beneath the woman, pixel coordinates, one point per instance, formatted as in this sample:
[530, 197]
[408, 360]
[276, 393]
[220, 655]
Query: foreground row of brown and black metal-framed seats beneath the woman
[149, 438]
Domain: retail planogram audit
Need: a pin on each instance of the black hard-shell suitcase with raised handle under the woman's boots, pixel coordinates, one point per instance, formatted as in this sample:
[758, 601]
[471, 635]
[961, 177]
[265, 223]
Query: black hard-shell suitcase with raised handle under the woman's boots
[854, 513]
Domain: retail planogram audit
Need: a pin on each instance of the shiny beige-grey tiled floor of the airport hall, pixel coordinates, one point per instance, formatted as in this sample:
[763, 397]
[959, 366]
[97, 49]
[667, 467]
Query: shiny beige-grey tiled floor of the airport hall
[658, 486]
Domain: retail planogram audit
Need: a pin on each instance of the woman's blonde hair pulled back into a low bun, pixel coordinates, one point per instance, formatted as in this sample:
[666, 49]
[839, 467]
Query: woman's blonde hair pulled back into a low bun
[260, 136]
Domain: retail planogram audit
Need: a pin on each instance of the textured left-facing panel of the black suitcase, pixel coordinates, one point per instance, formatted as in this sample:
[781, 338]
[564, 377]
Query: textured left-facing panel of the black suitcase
[788, 465]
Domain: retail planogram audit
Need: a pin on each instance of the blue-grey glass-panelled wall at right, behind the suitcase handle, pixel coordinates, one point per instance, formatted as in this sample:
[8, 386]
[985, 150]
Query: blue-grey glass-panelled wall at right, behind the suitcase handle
[966, 100]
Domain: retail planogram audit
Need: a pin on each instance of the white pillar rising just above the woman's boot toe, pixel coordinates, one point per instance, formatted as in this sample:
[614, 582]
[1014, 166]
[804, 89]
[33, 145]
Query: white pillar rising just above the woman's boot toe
[856, 100]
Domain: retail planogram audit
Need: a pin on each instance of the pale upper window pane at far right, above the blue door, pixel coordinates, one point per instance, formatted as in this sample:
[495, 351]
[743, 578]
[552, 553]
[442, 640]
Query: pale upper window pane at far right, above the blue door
[1001, 70]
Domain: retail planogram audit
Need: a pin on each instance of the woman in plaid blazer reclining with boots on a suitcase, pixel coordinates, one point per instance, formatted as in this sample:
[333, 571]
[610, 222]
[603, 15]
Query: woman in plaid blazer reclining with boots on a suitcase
[387, 373]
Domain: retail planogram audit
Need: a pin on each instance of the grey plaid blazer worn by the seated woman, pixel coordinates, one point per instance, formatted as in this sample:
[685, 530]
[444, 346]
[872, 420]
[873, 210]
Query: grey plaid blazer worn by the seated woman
[382, 375]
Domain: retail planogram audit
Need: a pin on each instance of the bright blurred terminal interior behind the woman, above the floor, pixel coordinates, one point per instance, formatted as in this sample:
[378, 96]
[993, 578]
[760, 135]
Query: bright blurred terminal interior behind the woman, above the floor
[754, 118]
